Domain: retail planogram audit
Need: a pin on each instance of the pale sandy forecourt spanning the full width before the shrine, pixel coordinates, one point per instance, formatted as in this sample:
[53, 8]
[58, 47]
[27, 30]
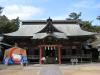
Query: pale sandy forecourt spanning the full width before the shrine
[83, 69]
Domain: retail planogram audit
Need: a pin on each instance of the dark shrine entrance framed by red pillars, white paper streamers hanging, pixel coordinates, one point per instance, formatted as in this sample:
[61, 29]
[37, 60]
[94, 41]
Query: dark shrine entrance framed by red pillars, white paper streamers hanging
[50, 54]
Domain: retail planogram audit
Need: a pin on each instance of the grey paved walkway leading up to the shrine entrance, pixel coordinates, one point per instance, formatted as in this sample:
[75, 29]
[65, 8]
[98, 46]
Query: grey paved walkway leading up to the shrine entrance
[50, 70]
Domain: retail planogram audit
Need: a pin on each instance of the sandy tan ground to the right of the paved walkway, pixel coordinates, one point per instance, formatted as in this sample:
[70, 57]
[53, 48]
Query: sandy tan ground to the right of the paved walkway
[88, 69]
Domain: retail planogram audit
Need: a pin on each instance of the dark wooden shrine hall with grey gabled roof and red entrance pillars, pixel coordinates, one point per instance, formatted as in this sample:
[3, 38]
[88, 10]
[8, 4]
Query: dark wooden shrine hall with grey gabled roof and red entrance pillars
[52, 41]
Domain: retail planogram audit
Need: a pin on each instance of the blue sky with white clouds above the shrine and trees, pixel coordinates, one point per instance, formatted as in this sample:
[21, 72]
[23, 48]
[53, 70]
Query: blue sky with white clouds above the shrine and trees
[56, 9]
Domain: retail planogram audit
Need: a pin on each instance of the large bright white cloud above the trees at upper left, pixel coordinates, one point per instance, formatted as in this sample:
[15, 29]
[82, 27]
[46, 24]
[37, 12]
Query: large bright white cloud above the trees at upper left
[21, 11]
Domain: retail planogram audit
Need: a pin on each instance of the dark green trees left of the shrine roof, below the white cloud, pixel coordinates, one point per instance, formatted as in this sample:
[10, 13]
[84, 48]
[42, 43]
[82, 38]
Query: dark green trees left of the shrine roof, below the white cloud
[6, 25]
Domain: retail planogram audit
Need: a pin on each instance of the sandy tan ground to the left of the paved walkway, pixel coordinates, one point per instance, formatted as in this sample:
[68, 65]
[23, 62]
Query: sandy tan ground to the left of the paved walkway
[19, 70]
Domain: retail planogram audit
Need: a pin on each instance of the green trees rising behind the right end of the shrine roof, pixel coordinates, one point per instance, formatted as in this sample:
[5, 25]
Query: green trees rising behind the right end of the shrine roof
[85, 25]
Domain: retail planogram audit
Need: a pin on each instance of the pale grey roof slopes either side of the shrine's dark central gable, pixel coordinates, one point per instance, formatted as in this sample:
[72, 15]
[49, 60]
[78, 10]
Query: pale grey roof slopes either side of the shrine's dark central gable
[68, 29]
